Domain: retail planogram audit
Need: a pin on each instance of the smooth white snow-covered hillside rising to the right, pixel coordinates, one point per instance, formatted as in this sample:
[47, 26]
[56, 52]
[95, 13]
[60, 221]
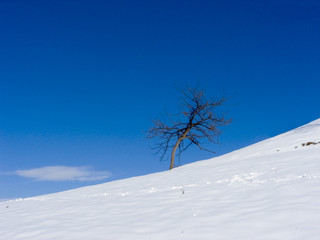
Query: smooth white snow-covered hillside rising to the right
[269, 190]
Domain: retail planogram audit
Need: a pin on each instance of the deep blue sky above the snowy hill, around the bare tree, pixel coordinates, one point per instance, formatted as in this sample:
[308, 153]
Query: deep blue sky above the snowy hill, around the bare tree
[80, 81]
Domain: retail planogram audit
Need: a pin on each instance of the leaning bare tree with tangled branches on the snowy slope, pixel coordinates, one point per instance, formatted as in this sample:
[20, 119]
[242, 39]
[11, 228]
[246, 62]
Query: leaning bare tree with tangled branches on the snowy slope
[198, 122]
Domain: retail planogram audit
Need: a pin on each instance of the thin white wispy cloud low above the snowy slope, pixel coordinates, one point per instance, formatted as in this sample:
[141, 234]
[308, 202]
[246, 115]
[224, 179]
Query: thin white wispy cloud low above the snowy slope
[63, 173]
